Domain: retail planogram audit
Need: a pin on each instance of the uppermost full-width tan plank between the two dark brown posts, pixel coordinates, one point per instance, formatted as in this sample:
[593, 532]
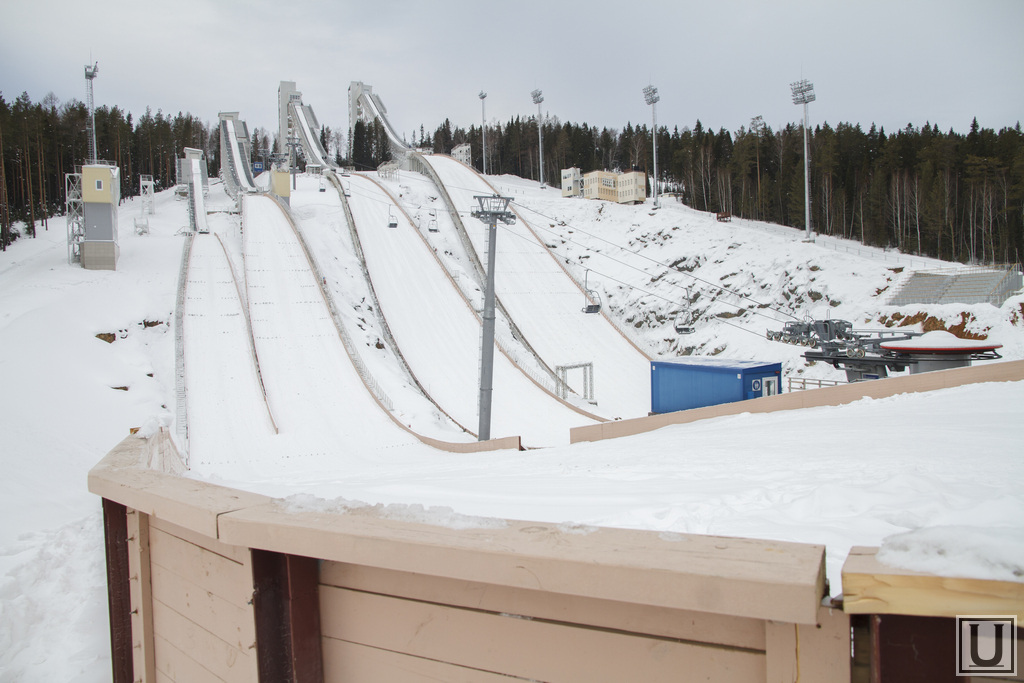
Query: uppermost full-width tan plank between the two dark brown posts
[215, 573]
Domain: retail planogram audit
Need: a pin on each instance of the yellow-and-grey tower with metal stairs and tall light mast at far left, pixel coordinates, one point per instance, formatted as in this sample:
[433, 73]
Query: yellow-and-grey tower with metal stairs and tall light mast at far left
[93, 196]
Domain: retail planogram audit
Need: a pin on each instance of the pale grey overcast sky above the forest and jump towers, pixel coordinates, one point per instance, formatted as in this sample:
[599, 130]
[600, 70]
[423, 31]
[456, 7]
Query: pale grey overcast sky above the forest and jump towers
[722, 62]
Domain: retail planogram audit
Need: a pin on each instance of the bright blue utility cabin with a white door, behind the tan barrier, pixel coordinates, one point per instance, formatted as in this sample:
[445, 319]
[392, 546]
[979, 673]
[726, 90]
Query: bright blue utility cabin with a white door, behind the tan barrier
[682, 385]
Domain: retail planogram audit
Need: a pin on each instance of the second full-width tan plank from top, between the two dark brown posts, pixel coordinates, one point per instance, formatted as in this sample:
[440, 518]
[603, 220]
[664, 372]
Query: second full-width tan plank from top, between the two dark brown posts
[231, 623]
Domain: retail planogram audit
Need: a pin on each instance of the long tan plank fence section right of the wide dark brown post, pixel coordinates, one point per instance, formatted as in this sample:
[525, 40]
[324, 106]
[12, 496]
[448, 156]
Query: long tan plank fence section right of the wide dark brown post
[380, 625]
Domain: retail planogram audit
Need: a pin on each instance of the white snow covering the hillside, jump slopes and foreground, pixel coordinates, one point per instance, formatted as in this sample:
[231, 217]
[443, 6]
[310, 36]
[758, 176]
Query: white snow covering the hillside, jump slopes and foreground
[937, 475]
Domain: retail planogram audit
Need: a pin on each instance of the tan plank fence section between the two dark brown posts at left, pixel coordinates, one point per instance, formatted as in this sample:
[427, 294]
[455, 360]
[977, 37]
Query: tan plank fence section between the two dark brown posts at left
[200, 609]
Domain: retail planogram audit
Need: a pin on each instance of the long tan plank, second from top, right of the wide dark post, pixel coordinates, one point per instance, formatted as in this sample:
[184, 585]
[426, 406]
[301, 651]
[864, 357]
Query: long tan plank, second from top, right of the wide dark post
[529, 649]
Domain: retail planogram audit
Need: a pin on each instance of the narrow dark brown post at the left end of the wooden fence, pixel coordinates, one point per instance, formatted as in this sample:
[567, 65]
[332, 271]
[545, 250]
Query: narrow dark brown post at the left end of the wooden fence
[118, 590]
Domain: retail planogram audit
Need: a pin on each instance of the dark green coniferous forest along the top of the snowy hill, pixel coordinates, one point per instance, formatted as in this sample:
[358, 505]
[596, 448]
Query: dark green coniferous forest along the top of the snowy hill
[956, 196]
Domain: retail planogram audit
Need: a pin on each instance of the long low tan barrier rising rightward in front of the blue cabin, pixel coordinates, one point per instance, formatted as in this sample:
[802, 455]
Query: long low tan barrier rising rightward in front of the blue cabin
[838, 396]
